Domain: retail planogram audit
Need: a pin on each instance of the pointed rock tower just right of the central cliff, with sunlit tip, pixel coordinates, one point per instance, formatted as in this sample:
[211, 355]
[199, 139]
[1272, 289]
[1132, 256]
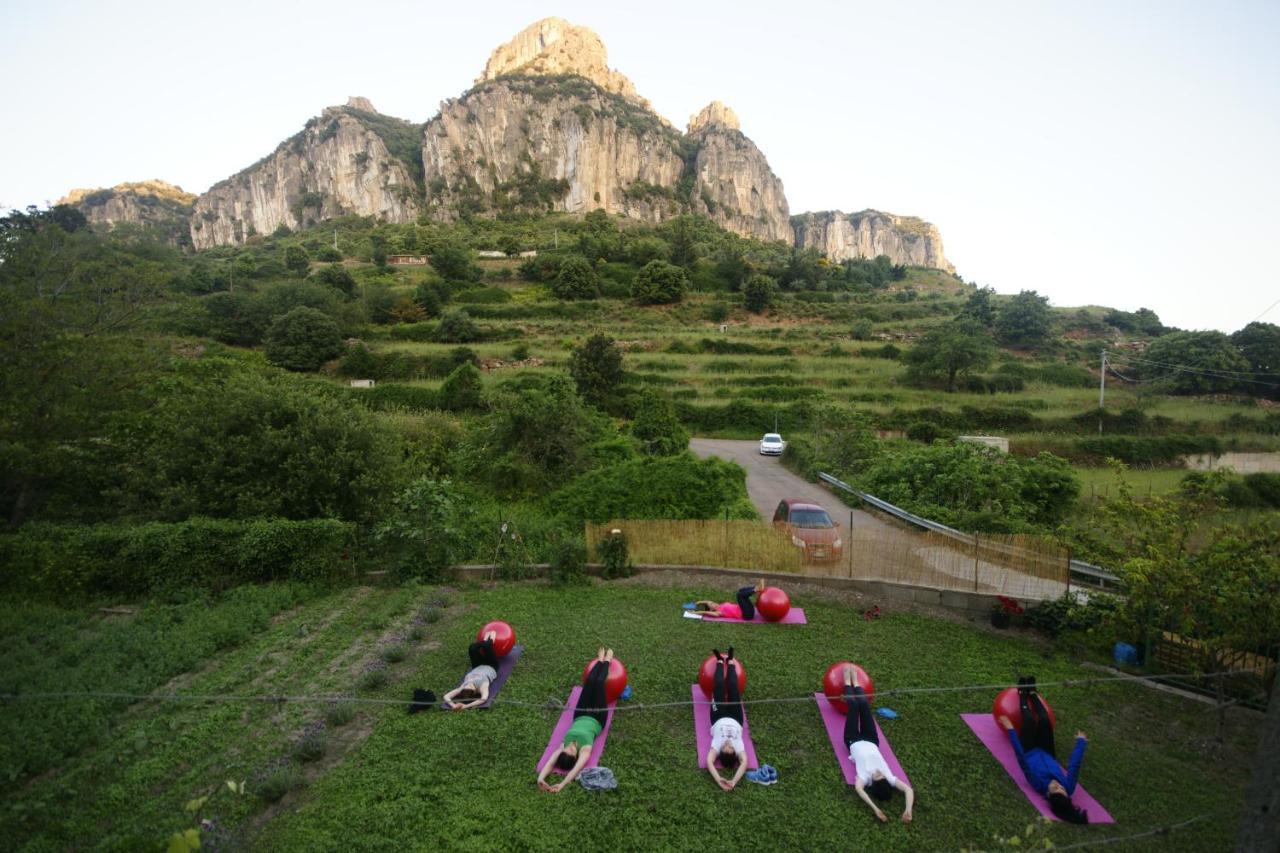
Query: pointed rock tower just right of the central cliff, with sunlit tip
[733, 181]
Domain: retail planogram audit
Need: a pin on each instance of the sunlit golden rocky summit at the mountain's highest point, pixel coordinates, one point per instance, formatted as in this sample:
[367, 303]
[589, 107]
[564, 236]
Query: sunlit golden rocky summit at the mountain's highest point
[556, 47]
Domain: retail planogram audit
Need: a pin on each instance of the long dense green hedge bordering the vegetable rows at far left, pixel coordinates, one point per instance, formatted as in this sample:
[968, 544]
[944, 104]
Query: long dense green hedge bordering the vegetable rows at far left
[62, 560]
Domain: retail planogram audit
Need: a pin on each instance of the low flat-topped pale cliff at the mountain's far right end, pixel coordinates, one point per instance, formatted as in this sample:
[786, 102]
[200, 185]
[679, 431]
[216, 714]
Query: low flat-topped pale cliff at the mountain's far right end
[906, 240]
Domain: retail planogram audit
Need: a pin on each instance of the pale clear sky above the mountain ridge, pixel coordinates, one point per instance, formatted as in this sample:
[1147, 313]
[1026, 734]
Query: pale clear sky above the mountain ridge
[1101, 153]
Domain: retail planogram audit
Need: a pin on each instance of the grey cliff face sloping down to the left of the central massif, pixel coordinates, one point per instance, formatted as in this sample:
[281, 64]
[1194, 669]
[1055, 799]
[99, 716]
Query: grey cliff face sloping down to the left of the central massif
[341, 163]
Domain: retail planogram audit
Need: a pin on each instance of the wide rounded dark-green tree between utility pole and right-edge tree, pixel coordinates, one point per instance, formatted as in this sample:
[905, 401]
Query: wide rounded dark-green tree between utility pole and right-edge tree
[1210, 364]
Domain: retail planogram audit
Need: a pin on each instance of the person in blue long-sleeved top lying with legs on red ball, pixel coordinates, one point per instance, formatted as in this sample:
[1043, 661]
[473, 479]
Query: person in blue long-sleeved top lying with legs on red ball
[1036, 755]
